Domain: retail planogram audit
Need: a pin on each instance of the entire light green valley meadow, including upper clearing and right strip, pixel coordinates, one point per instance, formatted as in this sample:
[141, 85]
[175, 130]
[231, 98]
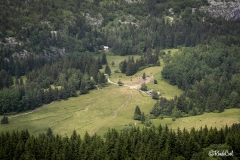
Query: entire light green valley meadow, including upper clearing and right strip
[112, 107]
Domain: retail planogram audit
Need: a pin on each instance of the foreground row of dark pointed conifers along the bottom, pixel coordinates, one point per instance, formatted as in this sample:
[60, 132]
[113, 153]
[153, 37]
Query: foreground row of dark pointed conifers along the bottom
[148, 143]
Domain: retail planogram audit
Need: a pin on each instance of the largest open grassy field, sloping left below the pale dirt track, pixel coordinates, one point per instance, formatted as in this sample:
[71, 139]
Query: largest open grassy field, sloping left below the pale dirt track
[83, 113]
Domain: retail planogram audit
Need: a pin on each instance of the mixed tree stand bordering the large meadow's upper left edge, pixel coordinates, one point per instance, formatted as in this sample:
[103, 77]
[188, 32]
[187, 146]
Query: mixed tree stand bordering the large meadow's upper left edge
[68, 75]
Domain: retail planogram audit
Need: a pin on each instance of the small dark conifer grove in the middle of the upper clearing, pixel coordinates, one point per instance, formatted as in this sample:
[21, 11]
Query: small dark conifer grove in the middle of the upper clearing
[130, 67]
